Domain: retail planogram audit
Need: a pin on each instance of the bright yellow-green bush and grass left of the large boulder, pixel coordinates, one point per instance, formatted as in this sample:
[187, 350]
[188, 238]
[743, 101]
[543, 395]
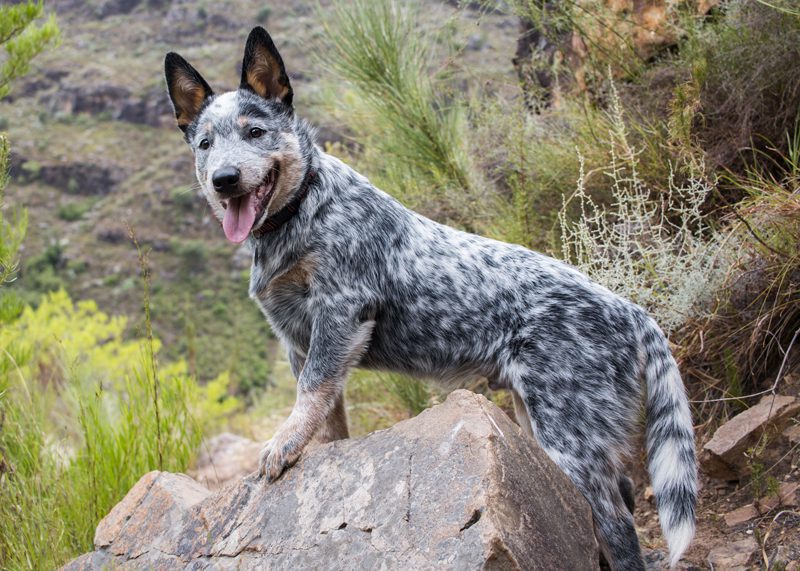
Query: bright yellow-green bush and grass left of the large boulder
[84, 415]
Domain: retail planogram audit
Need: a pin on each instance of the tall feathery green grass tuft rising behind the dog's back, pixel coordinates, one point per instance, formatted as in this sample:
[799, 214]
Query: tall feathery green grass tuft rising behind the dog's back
[410, 121]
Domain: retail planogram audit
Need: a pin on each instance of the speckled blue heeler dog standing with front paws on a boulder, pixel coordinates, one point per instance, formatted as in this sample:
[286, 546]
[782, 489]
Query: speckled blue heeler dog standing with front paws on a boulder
[349, 277]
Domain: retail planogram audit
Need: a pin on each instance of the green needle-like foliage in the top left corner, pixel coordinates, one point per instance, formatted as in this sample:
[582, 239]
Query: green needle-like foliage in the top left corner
[23, 39]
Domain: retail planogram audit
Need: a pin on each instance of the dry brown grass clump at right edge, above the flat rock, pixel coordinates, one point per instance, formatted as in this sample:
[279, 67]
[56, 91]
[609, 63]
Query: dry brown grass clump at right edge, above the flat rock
[758, 314]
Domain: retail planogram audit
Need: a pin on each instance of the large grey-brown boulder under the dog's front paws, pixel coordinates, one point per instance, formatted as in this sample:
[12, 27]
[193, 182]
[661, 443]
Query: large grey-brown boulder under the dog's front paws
[458, 487]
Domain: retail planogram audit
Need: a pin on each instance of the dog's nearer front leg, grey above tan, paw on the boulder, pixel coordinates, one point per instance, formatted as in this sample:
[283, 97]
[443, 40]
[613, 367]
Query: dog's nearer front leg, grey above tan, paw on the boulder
[336, 345]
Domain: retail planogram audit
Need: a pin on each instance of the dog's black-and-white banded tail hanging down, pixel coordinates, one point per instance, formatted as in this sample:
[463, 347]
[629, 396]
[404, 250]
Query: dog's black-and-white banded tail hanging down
[670, 440]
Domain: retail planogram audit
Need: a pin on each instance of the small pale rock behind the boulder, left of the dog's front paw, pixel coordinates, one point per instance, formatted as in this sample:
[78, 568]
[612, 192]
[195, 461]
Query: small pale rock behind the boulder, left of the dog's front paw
[226, 458]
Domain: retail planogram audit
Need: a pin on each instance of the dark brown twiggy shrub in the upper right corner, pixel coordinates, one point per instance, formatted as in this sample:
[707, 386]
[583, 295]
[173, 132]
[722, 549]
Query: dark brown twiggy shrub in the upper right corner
[747, 73]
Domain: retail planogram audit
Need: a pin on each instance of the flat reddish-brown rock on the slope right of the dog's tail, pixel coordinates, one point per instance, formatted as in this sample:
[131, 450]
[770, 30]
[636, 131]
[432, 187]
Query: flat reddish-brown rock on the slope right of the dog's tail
[723, 456]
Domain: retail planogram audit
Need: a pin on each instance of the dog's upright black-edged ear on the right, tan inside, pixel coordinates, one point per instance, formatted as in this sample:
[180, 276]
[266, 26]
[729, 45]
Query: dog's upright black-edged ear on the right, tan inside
[262, 68]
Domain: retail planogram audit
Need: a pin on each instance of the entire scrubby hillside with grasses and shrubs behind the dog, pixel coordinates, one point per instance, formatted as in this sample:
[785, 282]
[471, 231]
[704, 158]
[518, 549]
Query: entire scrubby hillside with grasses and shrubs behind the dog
[662, 159]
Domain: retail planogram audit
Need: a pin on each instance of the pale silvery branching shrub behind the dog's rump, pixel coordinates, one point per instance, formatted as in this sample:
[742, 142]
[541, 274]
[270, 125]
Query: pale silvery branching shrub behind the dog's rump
[658, 251]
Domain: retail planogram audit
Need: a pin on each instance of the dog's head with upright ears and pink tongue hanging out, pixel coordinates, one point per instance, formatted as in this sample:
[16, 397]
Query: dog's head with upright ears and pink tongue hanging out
[248, 158]
